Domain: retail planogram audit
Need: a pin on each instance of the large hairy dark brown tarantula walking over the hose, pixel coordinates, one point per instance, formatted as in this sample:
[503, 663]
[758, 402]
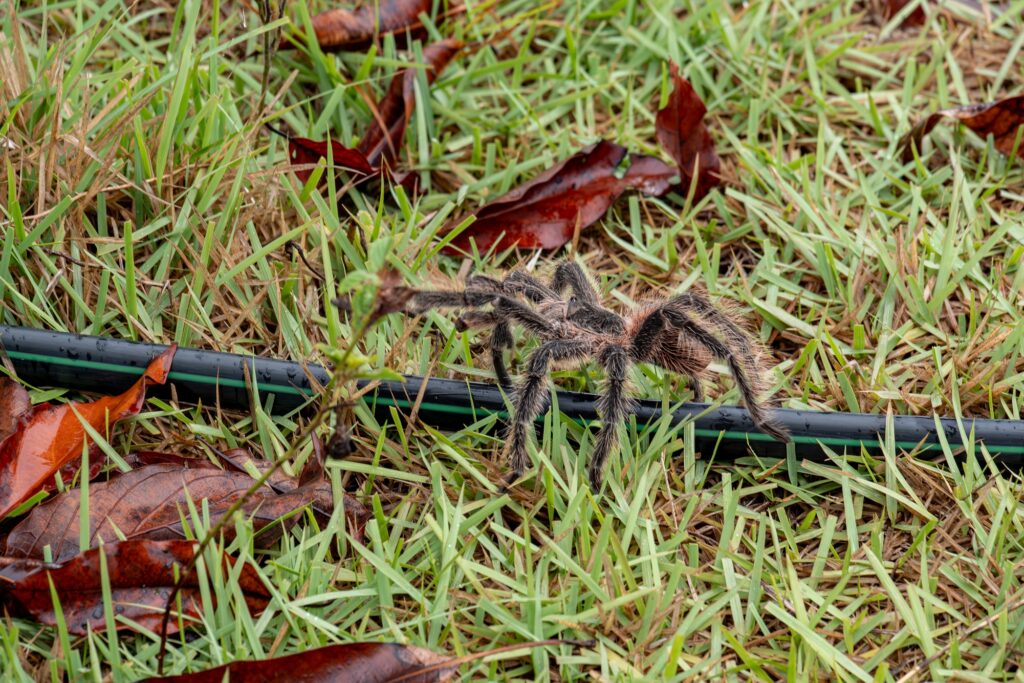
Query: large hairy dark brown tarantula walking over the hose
[681, 334]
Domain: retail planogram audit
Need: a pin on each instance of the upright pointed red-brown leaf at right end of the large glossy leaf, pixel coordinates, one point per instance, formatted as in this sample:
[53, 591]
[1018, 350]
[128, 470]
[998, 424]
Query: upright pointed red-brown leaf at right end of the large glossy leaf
[682, 133]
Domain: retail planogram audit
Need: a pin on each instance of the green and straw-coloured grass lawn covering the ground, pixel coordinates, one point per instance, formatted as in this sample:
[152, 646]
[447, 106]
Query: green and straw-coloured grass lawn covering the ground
[145, 200]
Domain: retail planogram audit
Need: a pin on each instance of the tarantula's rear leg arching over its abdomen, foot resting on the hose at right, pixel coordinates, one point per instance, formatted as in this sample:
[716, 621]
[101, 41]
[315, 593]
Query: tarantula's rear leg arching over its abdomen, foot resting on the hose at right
[740, 362]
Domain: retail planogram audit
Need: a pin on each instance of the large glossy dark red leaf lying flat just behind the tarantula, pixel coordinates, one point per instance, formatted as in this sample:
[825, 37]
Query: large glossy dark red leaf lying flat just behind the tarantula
[547, 211]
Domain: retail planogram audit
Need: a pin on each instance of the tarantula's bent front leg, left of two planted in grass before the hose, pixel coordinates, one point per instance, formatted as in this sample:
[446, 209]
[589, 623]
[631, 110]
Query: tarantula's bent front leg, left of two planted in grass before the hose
[530, 398]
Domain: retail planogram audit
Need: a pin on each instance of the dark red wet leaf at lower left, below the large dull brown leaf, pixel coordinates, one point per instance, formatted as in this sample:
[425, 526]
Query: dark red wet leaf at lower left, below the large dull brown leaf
[142, 575]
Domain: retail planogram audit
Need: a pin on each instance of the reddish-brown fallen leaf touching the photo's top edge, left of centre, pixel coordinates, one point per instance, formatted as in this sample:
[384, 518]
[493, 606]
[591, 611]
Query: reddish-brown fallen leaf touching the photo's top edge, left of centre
[350, 29]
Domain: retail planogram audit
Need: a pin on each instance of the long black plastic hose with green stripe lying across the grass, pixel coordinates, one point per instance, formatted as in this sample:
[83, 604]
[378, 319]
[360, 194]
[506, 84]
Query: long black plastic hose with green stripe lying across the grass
[108, 366]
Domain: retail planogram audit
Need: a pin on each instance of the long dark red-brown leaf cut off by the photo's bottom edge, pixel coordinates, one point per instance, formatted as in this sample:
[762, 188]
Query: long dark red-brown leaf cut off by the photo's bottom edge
[367, 663]
